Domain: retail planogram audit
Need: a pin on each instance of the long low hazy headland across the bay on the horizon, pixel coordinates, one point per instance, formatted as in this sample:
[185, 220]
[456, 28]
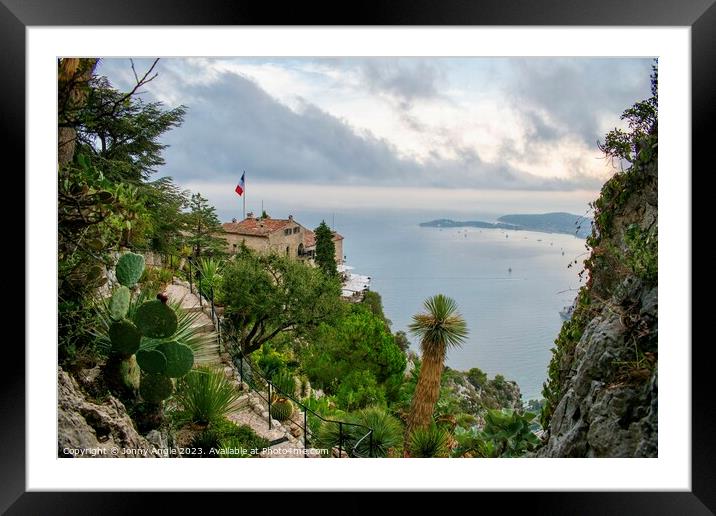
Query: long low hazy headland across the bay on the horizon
[567, 223]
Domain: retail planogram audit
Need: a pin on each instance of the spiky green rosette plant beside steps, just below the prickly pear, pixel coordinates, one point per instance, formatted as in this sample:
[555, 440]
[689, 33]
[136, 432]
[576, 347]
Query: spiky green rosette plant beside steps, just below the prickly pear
[204, 395]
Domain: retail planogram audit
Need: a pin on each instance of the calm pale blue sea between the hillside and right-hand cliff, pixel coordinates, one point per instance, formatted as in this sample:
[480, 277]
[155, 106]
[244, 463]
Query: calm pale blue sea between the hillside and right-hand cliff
[509, 285]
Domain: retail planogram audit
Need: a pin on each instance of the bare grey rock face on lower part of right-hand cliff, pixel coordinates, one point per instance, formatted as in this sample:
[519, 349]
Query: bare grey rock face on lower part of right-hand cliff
[604, 413]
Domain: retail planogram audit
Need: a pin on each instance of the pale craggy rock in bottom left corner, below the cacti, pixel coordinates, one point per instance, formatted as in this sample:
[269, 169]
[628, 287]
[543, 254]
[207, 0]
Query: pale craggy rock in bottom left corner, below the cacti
[87, 429]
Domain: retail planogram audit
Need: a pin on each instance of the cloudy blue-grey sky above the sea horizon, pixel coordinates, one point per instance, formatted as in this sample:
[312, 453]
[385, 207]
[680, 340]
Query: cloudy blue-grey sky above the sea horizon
[451, 135]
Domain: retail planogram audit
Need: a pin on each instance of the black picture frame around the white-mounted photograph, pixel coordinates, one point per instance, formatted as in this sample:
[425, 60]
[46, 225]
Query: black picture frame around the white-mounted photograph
[700, 15]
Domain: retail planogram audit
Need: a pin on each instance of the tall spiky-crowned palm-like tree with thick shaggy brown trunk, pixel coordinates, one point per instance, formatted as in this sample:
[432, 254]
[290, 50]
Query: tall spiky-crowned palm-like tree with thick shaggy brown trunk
[440, 328]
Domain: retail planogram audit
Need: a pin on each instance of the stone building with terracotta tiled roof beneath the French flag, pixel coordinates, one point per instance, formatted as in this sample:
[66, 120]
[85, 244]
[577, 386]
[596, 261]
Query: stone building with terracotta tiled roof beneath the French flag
[281, 236]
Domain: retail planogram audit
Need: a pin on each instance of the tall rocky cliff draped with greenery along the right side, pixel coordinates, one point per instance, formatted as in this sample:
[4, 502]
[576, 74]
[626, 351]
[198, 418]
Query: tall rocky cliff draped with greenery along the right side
[601, 396]
